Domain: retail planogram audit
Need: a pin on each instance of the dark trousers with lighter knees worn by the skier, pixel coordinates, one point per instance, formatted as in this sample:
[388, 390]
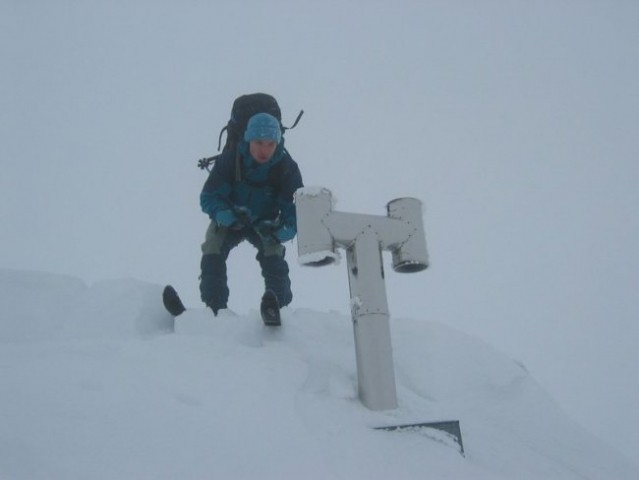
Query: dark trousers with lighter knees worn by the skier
[219, 242]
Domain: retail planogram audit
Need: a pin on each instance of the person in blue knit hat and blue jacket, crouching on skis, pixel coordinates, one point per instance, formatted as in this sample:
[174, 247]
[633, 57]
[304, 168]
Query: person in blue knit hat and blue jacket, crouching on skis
[258, 207]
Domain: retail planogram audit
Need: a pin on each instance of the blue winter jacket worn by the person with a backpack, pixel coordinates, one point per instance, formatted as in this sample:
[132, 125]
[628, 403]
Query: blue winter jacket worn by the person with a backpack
[265, 190]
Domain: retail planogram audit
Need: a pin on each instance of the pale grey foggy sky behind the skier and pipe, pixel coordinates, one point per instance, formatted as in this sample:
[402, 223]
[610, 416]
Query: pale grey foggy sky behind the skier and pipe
[515, 123]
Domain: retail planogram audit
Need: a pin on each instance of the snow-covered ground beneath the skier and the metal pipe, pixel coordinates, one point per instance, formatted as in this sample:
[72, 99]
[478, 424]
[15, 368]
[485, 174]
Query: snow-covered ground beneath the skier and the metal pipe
[99, 382]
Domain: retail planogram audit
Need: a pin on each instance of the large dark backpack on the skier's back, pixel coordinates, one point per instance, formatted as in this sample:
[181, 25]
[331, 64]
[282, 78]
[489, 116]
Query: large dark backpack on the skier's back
[244, 107]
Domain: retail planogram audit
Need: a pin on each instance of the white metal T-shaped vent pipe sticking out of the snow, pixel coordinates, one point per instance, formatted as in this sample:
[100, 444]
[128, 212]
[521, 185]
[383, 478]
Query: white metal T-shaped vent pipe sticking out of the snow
[321, 231]
